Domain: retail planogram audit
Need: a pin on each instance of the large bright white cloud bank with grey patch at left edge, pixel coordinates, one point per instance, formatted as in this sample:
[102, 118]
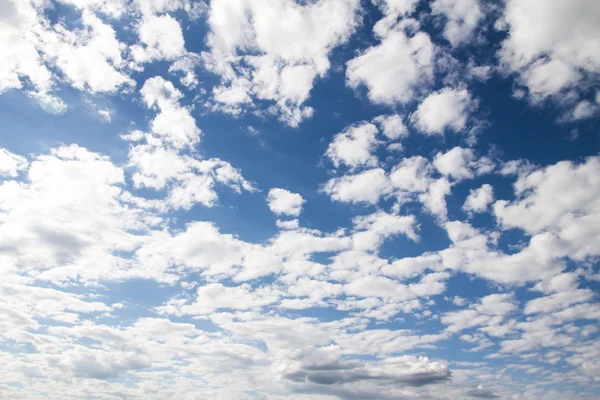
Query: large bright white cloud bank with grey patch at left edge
[48, 227]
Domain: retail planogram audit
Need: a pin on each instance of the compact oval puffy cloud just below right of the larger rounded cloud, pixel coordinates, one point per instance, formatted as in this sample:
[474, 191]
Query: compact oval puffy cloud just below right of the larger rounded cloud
[447, 109]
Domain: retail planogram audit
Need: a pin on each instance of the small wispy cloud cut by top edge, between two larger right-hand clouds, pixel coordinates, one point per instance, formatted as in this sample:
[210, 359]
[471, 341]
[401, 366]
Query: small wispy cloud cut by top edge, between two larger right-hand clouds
[462, 18]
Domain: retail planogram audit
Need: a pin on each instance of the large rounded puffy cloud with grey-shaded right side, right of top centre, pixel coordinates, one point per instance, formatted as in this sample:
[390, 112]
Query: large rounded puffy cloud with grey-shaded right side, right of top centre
[395, 70]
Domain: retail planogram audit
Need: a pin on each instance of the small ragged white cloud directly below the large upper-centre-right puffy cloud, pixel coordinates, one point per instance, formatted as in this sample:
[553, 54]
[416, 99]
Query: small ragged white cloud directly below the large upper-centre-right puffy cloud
[354, 147]
